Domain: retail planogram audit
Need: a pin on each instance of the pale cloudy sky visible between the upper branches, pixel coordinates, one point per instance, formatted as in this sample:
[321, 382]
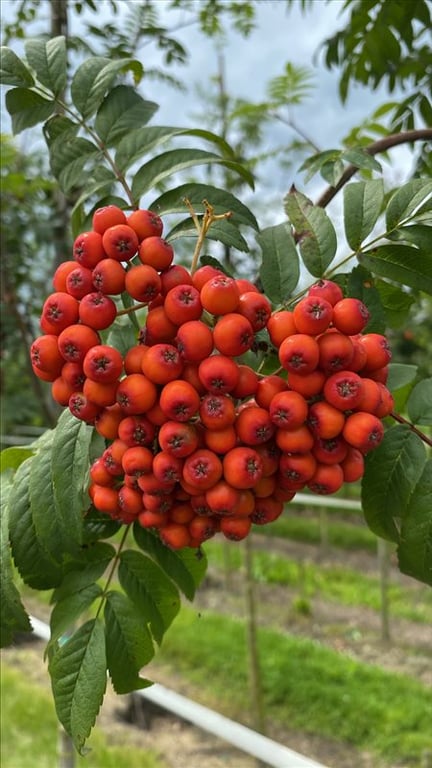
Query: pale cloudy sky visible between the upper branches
[279, 36]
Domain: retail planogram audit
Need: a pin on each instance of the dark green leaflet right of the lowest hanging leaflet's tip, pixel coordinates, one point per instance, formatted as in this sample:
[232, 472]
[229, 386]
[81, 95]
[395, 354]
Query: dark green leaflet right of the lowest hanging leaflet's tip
[129, 645]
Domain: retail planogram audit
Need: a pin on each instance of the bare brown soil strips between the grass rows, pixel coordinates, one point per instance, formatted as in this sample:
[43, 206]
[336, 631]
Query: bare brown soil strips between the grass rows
[350, 630]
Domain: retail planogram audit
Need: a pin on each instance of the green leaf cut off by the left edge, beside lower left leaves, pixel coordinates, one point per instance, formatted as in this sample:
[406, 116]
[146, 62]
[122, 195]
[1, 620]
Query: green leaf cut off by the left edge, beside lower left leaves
[13, 614]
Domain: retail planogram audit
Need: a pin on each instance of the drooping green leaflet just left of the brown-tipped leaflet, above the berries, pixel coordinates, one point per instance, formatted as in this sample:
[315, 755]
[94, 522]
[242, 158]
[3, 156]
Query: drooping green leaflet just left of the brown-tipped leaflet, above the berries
[280, 268]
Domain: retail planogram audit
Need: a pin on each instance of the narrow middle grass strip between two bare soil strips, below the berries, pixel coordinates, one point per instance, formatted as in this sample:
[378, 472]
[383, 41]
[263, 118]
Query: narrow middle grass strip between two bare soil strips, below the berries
[342, 585]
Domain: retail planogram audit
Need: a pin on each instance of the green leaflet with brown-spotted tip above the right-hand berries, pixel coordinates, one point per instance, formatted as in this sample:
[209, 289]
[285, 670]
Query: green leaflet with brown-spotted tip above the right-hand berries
[315, 233]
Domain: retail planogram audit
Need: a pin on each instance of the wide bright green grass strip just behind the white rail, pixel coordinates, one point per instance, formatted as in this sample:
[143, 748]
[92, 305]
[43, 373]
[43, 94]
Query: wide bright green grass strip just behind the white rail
[305, 686]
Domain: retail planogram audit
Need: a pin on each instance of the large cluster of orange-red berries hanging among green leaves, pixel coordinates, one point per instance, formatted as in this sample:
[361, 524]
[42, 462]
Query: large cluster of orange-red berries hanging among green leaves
[197, 441]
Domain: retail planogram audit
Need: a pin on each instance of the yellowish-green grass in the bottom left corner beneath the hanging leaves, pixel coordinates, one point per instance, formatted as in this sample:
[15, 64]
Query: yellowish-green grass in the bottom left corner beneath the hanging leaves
[30, 732]
